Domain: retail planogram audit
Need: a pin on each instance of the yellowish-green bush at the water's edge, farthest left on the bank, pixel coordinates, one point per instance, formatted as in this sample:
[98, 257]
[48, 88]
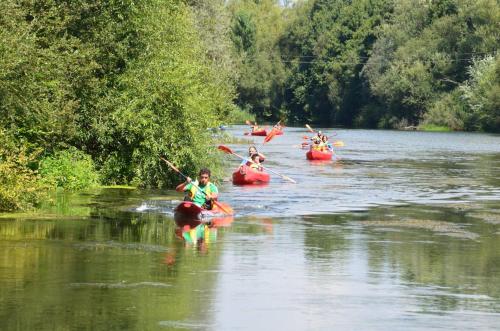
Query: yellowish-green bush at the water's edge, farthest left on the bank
[19, 186]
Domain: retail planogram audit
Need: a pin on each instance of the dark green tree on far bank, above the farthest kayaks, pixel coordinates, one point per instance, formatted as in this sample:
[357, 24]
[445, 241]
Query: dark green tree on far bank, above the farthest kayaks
[327, 45]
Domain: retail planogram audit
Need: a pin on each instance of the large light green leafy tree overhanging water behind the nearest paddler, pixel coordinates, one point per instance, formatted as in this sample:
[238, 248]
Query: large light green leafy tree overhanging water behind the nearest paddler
[163, 103]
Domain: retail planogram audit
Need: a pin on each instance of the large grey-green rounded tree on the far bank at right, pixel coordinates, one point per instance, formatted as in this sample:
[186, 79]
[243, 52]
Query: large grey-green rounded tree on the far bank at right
[422, 55]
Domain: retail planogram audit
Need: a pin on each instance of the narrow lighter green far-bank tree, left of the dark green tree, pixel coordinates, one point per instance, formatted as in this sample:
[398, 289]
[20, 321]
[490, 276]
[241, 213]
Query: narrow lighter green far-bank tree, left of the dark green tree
[256, 29]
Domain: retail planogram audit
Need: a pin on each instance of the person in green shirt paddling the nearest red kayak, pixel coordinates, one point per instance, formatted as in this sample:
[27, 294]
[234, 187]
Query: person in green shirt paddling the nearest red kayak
[193, 192]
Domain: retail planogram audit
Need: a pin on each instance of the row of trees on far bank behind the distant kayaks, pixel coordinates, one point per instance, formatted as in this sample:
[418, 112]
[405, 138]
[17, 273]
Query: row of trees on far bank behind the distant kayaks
[371, 63]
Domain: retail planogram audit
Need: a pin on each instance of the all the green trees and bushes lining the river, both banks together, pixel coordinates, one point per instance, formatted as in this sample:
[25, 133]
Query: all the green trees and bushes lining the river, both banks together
[95, 91]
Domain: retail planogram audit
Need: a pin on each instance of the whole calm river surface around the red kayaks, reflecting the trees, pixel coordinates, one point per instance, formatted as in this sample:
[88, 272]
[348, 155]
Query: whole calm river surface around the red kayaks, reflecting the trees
[400, 231]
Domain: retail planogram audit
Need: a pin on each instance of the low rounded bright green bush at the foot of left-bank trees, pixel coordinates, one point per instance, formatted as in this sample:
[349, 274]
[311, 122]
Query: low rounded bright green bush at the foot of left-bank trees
[70, 169]
